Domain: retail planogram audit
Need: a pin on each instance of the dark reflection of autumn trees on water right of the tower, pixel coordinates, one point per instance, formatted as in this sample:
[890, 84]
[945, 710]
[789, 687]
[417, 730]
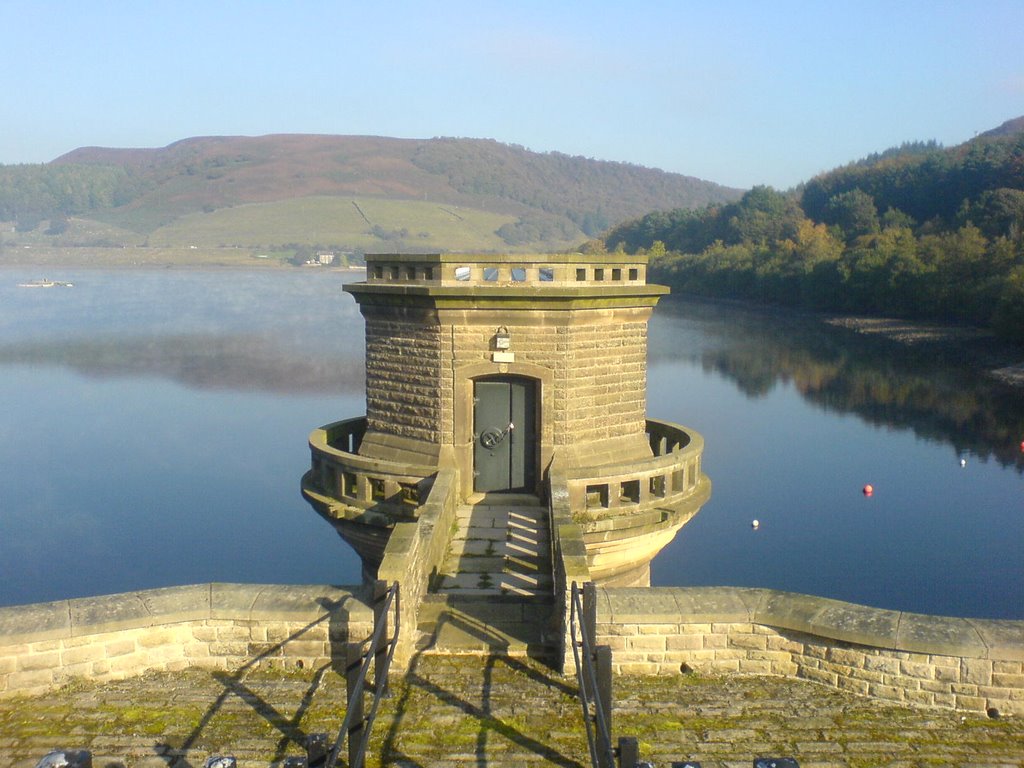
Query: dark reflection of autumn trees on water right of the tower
[930, 388]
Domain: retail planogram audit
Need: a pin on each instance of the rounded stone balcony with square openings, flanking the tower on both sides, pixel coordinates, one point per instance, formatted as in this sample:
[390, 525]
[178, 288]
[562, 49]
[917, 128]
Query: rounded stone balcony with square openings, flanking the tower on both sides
[628, 511]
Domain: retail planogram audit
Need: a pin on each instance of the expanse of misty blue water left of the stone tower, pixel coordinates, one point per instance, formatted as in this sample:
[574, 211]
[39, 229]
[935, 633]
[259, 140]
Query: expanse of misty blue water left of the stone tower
[155, 429]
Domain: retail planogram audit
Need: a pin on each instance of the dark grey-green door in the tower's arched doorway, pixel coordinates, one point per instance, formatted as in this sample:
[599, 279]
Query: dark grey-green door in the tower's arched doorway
[505, 435]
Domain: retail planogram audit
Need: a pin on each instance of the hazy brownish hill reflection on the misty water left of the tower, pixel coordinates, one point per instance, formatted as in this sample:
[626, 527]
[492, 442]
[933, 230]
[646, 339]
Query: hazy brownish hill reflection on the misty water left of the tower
[244, 363]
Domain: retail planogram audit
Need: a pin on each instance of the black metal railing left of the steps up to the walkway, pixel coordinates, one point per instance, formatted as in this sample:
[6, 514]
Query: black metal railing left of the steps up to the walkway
[357, 727]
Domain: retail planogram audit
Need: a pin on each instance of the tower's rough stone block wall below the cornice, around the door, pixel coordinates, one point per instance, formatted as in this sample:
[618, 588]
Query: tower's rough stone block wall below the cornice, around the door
[598, 359]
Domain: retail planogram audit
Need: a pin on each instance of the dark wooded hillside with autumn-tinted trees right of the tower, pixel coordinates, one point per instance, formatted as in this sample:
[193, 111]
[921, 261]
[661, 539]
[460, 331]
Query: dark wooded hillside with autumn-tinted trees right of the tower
[917, 232]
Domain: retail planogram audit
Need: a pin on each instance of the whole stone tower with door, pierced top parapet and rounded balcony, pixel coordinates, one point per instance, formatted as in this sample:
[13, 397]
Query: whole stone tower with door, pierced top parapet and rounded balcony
[506, 369]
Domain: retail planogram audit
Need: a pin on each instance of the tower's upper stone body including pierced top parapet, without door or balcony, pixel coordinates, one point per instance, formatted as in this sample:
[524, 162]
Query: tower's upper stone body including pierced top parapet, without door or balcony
[578, 329]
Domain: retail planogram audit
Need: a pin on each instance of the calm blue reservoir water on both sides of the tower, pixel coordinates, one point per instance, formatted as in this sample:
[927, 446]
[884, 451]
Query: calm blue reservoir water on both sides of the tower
[154, 431]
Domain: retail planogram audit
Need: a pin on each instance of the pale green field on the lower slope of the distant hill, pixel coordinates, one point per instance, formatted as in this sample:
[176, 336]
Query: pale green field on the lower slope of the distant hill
[368, 225]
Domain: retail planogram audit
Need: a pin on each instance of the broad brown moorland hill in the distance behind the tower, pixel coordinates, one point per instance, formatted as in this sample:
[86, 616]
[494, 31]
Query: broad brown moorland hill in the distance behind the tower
[340, 193]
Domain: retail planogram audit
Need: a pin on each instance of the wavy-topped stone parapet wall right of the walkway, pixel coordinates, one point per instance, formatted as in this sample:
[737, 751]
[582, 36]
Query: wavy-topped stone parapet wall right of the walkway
[961, 664]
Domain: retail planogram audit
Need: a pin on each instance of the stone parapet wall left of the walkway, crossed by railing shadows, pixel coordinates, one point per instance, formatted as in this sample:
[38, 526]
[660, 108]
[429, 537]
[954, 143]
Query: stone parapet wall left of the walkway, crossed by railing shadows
[208, 626]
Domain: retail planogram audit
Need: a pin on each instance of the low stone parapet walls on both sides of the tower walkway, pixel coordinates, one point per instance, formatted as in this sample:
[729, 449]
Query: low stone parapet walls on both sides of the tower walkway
[963, 664]
